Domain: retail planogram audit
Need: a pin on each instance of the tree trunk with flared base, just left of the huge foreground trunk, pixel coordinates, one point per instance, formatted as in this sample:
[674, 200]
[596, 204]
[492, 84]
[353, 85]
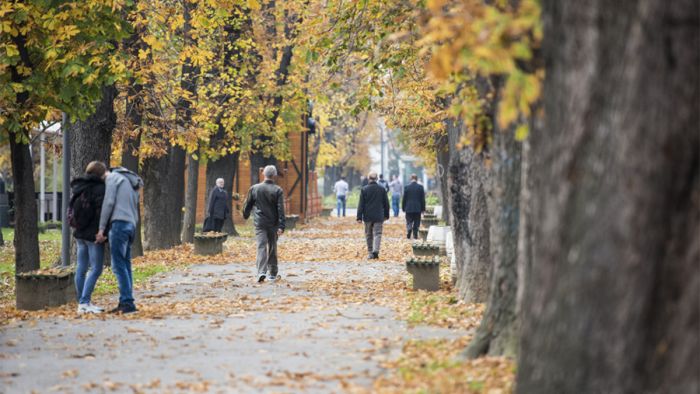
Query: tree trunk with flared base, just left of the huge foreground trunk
[498, 332]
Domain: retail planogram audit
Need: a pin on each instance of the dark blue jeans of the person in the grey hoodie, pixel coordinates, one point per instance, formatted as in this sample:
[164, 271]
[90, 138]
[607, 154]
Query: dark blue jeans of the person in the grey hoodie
[121, 236]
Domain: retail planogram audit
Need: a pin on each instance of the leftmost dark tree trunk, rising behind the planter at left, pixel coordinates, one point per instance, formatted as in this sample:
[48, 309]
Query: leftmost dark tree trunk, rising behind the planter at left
[26, 231]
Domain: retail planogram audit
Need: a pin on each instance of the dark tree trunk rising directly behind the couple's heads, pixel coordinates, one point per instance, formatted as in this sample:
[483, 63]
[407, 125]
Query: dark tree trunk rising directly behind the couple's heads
[91, 139]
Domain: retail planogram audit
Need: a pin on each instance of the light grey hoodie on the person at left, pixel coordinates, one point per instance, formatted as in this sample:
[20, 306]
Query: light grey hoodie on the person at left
[121, 200]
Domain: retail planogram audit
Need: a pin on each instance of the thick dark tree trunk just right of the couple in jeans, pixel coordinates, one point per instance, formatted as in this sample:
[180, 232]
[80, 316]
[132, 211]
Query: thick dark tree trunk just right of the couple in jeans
[163, 198]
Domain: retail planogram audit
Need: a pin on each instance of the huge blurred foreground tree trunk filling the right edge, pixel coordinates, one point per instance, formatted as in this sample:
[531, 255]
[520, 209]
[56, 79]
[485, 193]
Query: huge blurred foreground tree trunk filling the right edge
[613, 305]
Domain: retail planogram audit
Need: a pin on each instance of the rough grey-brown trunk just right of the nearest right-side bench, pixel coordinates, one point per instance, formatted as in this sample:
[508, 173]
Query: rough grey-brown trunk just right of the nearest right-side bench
[470, 224]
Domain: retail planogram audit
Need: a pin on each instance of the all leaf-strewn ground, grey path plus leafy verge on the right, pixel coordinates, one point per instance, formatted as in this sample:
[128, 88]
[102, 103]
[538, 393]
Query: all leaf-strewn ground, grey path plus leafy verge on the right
[334, 323]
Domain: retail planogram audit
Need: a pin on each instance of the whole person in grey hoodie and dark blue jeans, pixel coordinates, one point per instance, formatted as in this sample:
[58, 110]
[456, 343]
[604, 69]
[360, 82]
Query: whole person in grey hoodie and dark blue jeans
[120, 212]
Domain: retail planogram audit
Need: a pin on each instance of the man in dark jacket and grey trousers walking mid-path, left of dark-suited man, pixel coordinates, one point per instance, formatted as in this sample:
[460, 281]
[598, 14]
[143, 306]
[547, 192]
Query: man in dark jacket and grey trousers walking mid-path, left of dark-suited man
[373, 210]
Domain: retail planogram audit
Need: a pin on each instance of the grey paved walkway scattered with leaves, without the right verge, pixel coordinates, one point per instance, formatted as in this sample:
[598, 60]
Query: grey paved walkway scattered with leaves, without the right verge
[211, 328]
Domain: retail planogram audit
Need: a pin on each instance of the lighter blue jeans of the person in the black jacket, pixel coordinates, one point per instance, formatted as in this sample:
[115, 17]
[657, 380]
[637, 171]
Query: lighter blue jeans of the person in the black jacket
[90, 255]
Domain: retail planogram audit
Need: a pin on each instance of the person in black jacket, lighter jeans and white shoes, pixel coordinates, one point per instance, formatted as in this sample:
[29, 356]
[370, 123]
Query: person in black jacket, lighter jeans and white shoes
[88, 192]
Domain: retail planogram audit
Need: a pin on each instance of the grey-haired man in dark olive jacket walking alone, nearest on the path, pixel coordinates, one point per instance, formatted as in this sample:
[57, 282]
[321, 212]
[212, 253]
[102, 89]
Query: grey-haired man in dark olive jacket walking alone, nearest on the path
[266, 200]
